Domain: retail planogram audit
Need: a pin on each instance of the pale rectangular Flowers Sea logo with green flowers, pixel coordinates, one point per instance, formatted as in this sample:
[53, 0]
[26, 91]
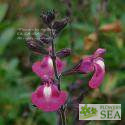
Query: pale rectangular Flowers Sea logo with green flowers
[99, 111]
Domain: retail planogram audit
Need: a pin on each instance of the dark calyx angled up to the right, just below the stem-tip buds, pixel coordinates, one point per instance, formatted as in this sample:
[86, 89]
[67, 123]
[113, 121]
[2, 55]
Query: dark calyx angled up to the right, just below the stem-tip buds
[59, 25]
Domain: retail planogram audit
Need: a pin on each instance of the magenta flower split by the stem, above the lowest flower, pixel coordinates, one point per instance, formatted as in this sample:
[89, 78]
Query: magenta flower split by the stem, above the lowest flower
[44, 68]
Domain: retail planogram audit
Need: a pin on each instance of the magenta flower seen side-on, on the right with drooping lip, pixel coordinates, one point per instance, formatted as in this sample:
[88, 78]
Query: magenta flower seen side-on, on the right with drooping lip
[94, 64]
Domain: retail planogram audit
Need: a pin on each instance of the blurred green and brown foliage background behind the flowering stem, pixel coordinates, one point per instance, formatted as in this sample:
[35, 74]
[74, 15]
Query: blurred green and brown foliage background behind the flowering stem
[95, 23]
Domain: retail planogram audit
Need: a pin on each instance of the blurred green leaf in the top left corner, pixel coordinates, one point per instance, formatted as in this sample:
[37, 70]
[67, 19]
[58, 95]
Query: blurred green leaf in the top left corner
[3, 10]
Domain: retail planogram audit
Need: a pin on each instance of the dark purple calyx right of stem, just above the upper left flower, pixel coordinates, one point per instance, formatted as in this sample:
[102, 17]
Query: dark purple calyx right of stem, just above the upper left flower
[64, 52]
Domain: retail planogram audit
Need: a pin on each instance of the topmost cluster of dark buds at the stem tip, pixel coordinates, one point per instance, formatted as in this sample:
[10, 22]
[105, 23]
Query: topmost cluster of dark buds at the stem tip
[48, 16]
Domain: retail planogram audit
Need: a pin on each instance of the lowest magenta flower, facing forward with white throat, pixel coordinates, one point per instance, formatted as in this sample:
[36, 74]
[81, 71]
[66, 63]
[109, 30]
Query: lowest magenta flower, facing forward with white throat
[48, 98]
